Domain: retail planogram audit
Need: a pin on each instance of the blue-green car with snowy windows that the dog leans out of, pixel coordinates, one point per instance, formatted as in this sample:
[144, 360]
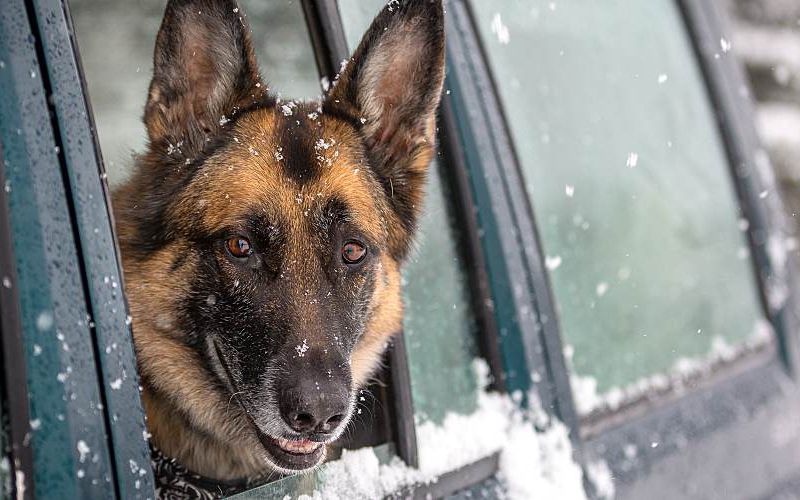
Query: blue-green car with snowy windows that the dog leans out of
[602, 301]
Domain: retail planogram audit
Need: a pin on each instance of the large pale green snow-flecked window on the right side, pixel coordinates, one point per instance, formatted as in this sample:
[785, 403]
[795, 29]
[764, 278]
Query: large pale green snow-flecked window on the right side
[630, 184]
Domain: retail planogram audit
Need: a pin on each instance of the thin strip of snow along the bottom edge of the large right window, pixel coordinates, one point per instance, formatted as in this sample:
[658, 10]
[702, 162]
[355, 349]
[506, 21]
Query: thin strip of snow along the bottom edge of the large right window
[683, 372]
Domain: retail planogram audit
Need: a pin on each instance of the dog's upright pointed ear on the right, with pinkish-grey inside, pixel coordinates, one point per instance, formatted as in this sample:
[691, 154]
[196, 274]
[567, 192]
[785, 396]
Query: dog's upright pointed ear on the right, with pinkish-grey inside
[390, 89]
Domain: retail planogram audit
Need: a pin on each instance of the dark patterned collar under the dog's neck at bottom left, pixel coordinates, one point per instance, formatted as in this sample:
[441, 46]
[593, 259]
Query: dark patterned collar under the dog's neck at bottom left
[176, 482]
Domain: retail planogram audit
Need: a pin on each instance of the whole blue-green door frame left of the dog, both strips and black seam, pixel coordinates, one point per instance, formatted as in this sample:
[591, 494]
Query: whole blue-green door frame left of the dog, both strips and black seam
[62, 177]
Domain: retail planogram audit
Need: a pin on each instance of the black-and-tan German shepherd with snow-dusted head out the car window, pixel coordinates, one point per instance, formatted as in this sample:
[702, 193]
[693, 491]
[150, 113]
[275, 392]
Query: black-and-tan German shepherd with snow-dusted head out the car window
[262, 240]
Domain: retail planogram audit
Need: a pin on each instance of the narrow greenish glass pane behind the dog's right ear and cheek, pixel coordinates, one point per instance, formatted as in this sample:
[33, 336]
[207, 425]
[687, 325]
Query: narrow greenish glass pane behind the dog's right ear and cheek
[439, 326]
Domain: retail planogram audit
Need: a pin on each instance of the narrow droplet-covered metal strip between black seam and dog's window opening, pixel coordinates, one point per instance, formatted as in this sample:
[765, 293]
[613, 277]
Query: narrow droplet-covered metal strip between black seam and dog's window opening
[97, 248]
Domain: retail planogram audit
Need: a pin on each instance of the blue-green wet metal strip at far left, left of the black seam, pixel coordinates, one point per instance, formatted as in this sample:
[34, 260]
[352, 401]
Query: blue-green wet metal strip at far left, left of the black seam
[62, 377]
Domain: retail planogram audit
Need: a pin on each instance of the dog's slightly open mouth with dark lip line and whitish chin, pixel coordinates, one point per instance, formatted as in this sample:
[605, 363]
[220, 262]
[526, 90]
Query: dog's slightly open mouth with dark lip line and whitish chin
[289, 456]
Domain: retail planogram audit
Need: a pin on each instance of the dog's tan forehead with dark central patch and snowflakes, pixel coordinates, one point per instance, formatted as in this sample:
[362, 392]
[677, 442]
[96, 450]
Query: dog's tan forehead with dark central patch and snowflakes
[287, 163]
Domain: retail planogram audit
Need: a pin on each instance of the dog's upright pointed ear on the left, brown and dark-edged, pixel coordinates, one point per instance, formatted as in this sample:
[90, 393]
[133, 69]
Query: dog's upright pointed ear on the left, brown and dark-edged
[204, 69]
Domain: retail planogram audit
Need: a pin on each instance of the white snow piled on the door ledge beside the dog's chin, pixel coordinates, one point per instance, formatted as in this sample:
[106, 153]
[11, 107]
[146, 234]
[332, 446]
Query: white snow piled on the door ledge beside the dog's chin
[533, 464]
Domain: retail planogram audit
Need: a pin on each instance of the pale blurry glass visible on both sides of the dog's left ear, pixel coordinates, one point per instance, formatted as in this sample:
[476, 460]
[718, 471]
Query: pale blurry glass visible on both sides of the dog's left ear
[118, 84]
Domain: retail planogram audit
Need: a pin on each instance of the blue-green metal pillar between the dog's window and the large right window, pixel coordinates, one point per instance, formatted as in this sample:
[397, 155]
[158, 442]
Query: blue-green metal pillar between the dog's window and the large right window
[530, 339]
